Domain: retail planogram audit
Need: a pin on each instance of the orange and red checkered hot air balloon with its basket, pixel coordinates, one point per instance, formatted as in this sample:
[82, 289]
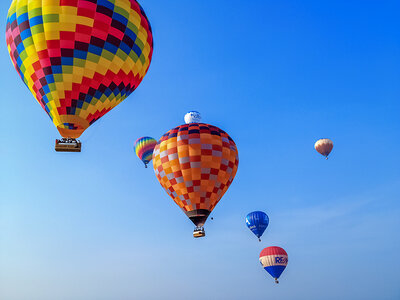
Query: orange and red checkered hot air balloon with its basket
[196, 163]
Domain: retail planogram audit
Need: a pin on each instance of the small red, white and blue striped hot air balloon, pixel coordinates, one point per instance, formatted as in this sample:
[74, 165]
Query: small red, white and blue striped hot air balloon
[274, 260]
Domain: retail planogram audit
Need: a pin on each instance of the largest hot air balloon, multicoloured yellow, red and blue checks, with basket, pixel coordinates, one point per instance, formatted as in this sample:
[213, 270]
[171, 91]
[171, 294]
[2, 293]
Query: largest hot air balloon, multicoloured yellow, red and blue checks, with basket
[79, 58]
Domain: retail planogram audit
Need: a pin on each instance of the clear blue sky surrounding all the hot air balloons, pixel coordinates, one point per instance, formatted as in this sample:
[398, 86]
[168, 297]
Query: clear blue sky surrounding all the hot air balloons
[276, 75]
